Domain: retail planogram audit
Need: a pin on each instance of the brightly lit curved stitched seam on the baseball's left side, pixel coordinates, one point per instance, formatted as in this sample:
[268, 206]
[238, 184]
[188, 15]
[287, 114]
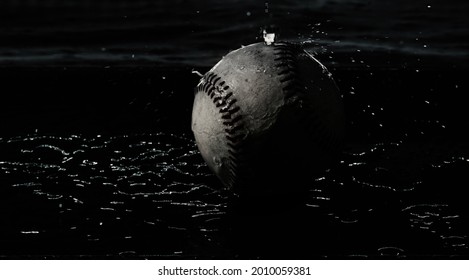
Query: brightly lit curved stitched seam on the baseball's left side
[222, 97]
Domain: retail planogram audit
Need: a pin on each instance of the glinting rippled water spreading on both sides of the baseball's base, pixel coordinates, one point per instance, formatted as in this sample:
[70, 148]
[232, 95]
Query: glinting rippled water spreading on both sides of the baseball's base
[151, 195]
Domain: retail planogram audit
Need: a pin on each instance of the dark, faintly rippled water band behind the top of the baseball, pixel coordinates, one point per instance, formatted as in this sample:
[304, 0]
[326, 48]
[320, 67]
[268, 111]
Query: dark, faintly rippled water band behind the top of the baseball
[188, 33]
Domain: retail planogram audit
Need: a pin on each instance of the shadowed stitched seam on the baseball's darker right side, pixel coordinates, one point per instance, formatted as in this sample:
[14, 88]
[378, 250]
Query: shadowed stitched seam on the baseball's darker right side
[292, 85]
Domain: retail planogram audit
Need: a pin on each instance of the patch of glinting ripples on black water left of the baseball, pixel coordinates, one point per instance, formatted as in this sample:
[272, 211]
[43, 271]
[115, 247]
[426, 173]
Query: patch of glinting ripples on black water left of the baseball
[101, 191]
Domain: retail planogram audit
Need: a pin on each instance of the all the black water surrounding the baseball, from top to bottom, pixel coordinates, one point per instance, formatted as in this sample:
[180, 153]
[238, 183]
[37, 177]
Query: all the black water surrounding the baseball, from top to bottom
[97, 159]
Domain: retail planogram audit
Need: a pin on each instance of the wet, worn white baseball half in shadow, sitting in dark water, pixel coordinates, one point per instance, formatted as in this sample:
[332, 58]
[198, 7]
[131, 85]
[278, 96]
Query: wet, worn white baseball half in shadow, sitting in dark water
[266, 117]
